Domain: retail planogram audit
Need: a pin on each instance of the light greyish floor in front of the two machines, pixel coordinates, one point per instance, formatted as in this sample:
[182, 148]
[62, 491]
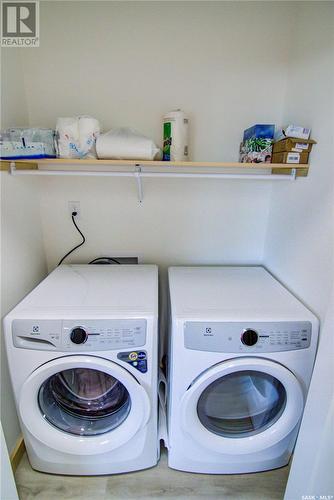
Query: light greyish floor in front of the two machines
[151, 484]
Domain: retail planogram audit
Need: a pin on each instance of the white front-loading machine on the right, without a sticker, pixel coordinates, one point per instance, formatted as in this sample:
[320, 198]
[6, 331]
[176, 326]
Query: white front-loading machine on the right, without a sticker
[241, 355]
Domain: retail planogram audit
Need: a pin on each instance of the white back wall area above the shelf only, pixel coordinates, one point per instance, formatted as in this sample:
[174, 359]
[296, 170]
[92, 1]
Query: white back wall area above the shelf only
[128, 63]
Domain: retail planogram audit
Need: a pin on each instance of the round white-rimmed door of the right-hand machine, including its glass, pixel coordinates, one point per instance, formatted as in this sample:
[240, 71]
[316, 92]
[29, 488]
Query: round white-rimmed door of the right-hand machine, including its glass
[242, 406]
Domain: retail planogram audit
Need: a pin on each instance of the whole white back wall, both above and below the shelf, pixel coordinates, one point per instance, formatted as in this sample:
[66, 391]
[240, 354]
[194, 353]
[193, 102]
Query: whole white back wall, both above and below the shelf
[127, 63]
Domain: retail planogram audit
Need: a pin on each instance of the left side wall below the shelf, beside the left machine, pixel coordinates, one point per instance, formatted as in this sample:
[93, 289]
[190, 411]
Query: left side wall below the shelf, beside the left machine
[23, 266]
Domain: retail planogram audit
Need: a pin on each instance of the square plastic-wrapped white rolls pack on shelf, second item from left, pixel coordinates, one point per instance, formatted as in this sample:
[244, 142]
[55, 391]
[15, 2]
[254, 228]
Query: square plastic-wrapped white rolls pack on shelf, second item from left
[76, 137]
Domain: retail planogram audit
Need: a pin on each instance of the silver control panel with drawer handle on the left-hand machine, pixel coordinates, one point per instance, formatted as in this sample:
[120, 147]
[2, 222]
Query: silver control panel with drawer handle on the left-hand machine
[79, 335]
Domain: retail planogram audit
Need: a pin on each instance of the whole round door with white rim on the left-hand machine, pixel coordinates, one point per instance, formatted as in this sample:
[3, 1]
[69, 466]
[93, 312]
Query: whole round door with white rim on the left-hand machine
[83, 405]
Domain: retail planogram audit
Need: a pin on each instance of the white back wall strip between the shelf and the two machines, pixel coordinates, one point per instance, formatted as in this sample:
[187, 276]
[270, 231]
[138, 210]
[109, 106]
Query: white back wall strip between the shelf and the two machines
[179, 222]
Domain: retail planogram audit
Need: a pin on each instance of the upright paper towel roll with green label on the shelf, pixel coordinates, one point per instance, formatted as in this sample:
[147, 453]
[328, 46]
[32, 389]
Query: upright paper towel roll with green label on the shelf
[175, 131]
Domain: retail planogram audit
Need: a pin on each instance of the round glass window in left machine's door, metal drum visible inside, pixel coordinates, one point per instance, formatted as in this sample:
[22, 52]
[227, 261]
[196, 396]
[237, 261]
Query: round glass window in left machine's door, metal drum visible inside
[84, 401]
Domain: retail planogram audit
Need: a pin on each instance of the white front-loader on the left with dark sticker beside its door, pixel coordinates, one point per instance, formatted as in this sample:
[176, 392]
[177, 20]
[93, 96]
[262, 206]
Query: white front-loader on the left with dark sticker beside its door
[82, 353]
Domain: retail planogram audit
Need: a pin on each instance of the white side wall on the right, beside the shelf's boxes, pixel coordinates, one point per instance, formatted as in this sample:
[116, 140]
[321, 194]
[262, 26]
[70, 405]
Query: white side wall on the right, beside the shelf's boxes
[299, 245]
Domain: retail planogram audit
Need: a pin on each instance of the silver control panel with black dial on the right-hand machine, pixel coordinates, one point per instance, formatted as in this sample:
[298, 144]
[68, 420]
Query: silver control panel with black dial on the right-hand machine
[251, 337]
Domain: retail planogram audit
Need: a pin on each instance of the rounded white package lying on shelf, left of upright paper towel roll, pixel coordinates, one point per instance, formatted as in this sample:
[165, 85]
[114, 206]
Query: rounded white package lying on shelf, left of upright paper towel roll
[126, 144]
